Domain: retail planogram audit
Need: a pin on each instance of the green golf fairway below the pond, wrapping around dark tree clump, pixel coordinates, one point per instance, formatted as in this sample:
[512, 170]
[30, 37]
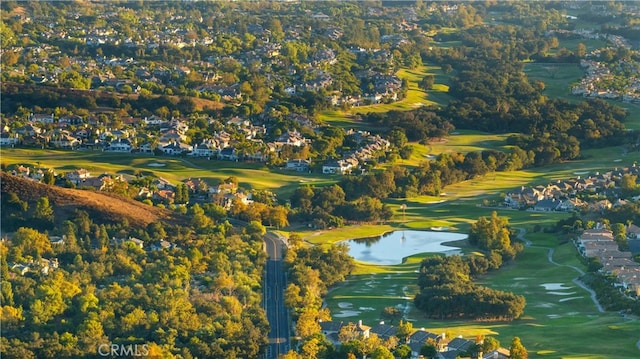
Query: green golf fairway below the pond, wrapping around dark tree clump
[558, 317]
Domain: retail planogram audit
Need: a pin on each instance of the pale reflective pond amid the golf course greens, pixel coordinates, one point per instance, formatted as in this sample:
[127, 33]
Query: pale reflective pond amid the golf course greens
[392, 247]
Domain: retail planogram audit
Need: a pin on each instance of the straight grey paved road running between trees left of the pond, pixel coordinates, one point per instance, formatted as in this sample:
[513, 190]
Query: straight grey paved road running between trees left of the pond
[274, 298]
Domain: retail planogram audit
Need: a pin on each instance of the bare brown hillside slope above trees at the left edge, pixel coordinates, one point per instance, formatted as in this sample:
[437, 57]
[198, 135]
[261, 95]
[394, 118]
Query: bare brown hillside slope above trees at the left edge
[102, 207]
